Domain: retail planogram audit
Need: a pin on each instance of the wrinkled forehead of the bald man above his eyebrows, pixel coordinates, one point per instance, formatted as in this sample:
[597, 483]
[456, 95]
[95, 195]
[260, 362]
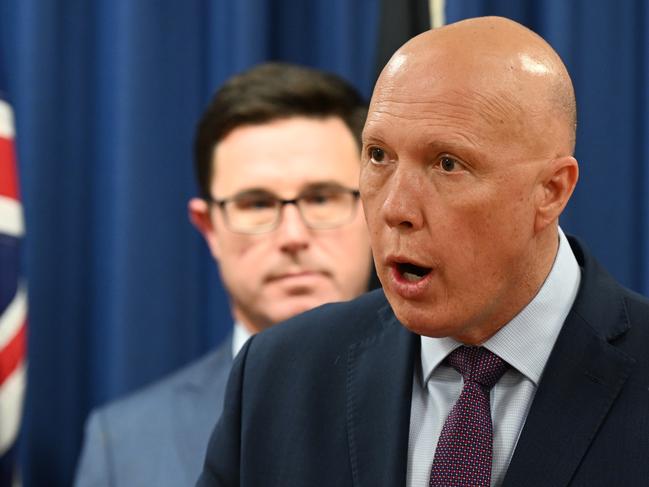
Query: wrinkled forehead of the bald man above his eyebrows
[469, 109]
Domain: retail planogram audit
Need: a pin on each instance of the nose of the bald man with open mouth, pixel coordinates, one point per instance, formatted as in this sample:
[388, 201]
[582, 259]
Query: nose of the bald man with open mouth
[402, 206]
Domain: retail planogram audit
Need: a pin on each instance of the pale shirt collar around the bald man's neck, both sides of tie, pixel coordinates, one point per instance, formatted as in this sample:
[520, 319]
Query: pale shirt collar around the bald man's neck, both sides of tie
[527, 340]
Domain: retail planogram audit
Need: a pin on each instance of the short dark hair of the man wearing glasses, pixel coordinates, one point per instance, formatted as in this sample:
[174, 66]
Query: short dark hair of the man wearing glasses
[268, 92]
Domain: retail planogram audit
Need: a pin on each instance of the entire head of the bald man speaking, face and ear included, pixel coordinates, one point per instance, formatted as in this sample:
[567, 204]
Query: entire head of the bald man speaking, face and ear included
[467, 165]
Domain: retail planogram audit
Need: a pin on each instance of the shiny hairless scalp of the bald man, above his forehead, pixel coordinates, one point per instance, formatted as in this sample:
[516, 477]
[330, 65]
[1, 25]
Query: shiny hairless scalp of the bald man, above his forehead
[507, 68]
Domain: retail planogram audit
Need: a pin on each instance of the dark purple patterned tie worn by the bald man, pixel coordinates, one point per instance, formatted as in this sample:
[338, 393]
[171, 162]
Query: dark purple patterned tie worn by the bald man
[464, 450]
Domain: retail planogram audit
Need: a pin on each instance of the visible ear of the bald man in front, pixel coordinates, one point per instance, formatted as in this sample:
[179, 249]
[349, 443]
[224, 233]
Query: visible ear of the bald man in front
[557, 184]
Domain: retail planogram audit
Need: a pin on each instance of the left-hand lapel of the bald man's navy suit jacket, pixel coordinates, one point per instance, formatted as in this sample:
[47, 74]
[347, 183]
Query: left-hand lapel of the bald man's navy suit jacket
[379, 388]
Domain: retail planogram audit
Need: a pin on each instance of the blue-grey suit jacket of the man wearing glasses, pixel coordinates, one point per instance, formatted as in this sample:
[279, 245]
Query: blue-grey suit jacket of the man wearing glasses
[157, 436]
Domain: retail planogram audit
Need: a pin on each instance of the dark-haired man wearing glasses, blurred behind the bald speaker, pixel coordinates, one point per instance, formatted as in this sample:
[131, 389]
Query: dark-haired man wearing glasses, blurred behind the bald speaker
[277, 161]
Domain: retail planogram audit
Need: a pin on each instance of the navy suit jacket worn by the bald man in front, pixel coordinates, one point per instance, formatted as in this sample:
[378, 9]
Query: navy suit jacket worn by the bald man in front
[324, 399]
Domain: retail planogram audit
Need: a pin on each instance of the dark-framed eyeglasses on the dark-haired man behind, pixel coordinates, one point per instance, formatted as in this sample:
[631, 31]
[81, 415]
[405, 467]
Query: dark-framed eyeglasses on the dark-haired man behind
[260, 211]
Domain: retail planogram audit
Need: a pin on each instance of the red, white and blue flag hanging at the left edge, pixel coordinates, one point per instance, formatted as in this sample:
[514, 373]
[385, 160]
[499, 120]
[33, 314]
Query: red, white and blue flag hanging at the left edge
[13, 302]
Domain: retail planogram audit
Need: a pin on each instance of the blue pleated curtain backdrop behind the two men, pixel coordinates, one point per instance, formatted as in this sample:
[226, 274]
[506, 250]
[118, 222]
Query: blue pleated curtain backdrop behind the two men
[106, 96]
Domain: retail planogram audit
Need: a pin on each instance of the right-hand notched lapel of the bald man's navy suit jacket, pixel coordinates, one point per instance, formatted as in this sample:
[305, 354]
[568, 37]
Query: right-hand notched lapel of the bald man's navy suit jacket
[580, 383]
